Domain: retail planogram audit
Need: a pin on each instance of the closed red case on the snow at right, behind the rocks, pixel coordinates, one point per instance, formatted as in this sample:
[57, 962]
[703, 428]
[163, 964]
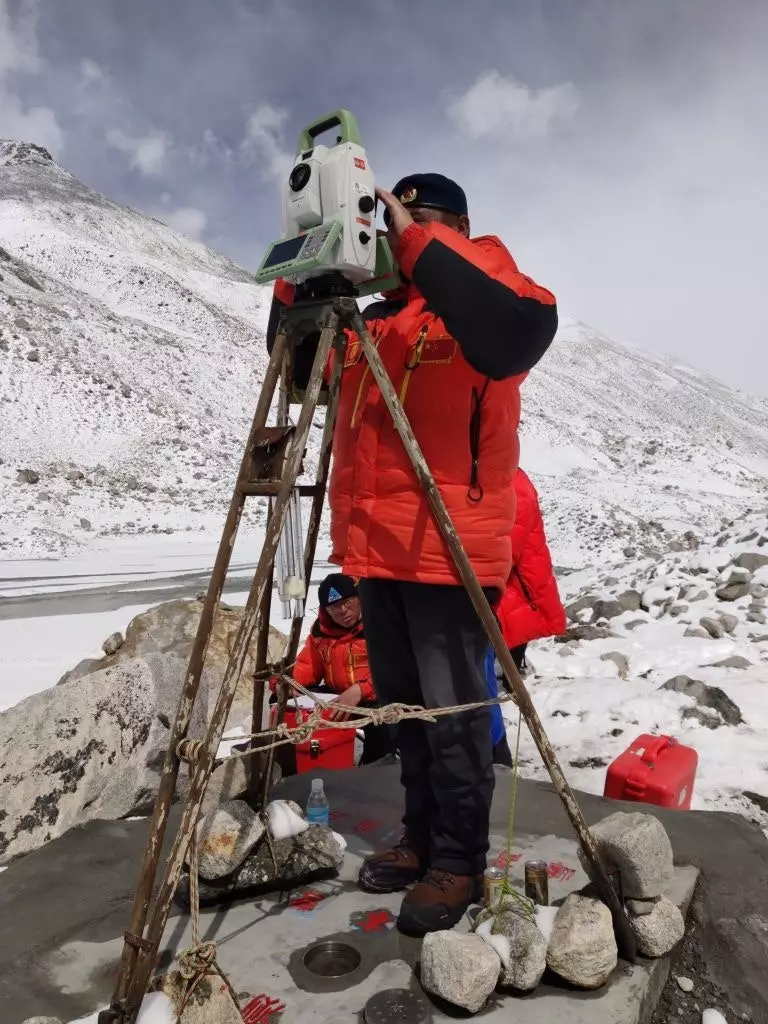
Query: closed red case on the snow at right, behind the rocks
[654, 771]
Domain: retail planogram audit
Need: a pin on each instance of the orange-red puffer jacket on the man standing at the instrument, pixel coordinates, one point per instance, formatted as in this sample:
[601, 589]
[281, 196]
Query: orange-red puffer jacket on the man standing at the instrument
[457, 348]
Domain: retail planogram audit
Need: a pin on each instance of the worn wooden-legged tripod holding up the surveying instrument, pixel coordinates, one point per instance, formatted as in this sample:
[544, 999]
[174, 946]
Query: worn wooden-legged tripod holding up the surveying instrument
[271, 466]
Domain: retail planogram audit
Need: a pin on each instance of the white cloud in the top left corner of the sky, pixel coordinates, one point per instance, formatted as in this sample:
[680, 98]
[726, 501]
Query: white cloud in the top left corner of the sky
[19, 54]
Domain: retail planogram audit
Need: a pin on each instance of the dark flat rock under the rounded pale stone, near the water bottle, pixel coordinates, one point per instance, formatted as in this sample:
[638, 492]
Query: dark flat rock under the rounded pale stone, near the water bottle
[300, 859]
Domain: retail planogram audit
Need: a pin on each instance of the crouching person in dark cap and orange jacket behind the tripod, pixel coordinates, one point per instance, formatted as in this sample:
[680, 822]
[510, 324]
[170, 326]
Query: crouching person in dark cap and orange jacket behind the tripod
[334, 660]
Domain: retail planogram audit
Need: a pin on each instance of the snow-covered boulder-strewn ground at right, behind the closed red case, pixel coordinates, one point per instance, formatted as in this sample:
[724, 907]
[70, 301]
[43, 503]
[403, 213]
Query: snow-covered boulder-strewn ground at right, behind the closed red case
[695, 620]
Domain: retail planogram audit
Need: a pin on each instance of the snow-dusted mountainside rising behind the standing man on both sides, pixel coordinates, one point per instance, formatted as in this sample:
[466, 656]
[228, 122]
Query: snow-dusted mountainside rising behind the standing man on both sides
[133, 356]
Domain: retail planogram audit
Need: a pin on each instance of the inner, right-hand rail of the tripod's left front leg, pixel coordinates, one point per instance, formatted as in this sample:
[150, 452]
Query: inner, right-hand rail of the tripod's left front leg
[249, 624]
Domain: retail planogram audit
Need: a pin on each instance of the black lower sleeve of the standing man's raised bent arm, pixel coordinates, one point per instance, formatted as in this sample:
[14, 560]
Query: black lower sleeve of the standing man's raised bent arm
[501, 334]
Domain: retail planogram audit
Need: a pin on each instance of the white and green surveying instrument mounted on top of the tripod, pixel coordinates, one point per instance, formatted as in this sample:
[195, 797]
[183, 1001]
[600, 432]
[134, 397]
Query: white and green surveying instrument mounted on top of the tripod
[329, 215]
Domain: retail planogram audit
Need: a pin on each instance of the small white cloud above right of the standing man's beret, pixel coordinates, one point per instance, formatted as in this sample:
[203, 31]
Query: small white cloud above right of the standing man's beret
[496, 105]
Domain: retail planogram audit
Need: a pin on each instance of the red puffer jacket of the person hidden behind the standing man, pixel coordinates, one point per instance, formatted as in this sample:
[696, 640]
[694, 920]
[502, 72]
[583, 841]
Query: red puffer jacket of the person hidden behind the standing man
[531, 608]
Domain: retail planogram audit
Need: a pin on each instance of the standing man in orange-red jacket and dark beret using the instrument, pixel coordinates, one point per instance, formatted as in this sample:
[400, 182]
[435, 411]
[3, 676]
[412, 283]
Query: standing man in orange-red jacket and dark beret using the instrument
[457, 343]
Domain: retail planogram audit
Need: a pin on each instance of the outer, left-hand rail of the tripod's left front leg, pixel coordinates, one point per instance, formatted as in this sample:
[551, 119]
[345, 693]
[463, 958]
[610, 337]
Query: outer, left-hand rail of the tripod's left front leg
[169, 777]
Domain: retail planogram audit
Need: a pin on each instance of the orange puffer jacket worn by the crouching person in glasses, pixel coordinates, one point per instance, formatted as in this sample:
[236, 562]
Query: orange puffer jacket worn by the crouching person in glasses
[335, 657]
